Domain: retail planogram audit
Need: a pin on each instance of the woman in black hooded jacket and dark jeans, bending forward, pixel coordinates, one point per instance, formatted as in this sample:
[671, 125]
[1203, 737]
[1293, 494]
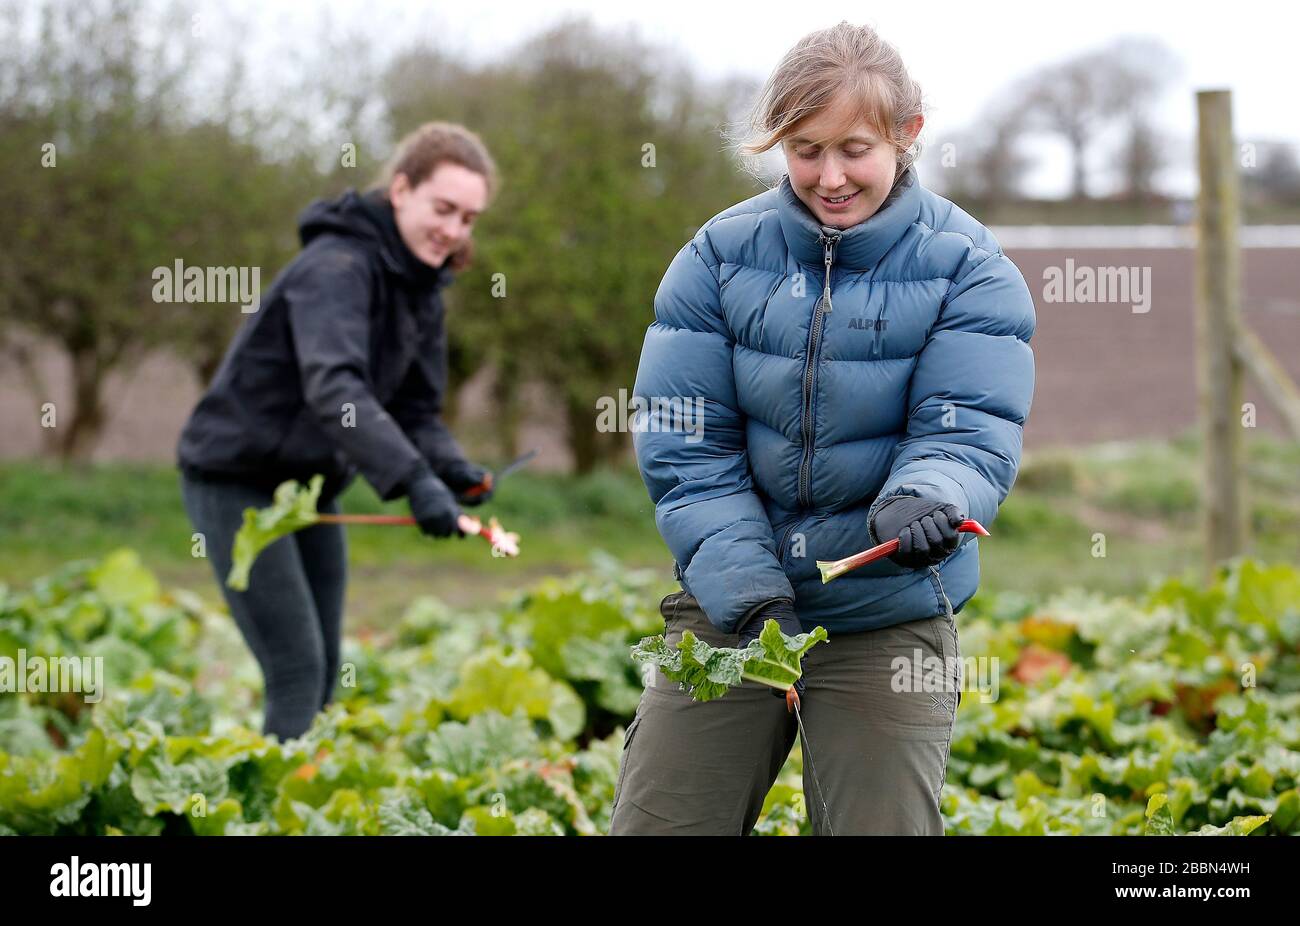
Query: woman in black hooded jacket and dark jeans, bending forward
[341, 371]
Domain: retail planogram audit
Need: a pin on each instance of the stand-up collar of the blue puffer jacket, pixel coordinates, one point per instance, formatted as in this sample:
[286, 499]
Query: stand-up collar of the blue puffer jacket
[863, 245]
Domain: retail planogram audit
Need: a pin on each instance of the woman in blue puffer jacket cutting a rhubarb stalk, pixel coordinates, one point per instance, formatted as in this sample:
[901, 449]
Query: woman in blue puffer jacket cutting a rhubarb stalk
[860, 349]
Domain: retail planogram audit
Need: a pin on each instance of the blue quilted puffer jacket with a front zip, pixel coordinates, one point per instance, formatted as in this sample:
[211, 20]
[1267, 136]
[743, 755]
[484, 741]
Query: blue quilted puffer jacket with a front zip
[830, 370]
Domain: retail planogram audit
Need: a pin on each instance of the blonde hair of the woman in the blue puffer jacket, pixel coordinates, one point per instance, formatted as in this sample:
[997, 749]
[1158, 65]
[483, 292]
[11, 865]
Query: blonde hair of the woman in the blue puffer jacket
[813, 73]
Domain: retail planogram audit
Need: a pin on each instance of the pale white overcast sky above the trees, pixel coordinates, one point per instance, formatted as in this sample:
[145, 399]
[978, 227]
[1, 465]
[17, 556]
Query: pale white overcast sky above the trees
[960, 53]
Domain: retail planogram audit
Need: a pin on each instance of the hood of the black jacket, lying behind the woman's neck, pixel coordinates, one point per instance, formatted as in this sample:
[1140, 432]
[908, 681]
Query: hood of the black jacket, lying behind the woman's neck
[370, 218]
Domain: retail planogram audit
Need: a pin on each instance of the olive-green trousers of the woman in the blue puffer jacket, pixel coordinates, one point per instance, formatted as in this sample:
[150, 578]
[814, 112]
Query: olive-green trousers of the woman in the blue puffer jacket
[878, 712]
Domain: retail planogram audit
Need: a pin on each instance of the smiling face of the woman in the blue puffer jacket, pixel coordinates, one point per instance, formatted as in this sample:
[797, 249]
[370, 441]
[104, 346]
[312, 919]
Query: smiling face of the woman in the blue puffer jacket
[842, 168]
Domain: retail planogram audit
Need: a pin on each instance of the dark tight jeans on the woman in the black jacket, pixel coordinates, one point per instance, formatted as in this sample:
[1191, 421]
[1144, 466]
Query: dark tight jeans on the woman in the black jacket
[293, 613]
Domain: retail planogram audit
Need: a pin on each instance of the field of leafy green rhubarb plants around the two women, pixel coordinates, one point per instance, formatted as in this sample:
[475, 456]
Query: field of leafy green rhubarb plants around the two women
[1176, 712]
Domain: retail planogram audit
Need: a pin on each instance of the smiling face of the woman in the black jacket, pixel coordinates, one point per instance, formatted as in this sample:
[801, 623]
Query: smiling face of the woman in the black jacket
[437, 217]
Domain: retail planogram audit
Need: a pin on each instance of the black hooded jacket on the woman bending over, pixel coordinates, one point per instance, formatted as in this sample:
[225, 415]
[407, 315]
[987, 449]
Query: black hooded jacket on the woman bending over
[343, 370]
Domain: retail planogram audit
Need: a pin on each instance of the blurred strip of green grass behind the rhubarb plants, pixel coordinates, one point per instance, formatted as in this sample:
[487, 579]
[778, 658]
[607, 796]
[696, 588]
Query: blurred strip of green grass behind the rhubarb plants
[1142, 496]
